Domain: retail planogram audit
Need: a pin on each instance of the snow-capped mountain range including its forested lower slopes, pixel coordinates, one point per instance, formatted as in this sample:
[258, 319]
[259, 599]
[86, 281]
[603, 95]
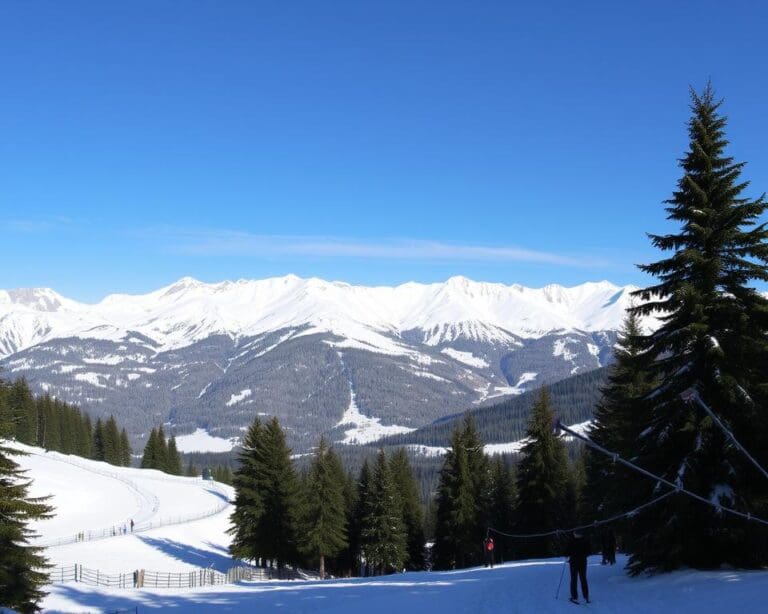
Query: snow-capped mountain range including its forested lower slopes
[323, 356]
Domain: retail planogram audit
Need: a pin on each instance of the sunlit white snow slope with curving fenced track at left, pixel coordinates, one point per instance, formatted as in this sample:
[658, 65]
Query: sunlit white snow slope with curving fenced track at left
[171, 515]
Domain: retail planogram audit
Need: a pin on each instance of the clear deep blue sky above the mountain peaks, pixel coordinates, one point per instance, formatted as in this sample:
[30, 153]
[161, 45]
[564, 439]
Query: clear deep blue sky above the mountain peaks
[369, 142]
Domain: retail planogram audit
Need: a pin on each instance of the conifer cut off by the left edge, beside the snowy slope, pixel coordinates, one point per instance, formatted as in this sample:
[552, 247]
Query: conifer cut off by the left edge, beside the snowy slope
[22, 567]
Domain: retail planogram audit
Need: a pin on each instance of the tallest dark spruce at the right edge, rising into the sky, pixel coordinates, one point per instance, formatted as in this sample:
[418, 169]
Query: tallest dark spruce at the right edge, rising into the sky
[714, 338]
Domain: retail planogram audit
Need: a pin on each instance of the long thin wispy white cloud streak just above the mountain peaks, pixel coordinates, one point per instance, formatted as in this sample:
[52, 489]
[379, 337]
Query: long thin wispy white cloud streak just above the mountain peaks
[235, 243]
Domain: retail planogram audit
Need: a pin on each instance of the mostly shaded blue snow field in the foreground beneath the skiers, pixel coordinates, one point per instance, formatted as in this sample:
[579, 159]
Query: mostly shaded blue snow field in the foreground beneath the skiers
[520, 587]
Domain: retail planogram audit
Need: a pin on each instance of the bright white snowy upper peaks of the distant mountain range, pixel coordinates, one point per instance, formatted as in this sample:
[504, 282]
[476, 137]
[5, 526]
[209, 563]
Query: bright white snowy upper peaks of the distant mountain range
[188, 311]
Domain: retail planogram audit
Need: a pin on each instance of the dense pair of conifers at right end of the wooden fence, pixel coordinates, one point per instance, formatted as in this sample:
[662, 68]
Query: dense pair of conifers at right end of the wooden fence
[266, 489]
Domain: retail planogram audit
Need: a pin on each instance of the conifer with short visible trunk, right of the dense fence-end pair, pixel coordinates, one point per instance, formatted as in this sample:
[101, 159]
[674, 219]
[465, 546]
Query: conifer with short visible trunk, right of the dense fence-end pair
[322, 523]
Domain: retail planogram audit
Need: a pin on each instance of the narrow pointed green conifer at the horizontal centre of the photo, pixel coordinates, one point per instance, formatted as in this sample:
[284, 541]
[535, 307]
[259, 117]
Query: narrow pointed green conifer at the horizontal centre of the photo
[382, 532]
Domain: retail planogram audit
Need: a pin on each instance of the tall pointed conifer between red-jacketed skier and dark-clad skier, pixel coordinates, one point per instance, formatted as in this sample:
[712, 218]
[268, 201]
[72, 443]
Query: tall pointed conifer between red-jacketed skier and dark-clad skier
[544, 483]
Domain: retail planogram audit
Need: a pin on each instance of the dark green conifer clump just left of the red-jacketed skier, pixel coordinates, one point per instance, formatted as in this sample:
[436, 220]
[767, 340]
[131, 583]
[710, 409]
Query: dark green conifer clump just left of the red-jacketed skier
[462, 501]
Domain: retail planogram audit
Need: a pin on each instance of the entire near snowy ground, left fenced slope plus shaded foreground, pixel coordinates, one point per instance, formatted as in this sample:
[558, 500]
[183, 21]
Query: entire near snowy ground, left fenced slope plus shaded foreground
[92, 494]
